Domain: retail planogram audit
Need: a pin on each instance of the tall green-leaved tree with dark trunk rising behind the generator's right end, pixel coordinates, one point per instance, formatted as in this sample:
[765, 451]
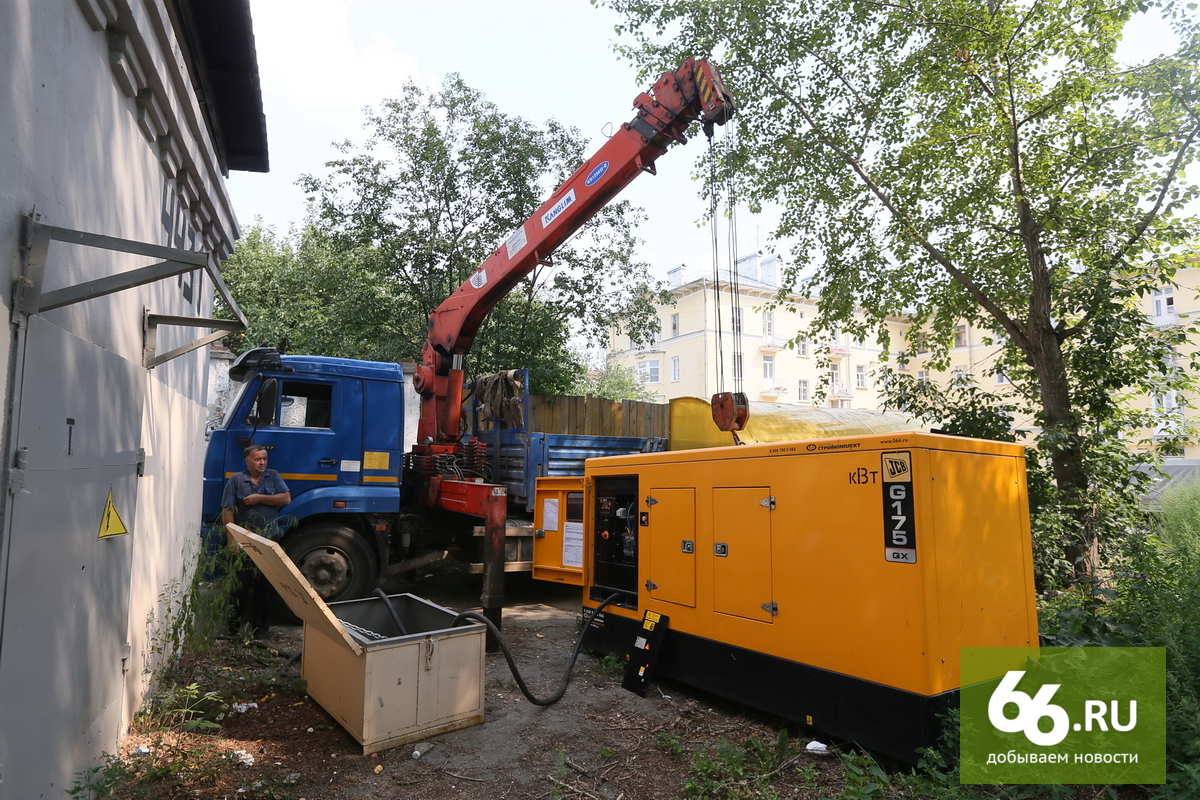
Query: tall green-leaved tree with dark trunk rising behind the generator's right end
[983, 163]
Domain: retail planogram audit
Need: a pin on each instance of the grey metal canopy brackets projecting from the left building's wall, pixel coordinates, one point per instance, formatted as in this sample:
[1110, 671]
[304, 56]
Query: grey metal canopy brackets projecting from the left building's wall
[31, 299]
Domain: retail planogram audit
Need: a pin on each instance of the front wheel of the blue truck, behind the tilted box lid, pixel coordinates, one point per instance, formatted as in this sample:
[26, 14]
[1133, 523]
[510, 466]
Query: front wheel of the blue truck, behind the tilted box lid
[335, 561]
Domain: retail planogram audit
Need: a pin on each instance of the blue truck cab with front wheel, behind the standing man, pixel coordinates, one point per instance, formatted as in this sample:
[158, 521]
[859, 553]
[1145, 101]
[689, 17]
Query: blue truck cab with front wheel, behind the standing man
[334, 430]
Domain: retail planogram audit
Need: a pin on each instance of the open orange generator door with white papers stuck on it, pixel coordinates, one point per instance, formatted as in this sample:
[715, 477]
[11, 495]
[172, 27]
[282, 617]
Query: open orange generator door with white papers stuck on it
[559, 531]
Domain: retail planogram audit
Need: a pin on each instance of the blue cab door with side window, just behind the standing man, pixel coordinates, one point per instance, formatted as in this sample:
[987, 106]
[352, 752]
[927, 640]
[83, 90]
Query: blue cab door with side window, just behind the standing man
[314, 432]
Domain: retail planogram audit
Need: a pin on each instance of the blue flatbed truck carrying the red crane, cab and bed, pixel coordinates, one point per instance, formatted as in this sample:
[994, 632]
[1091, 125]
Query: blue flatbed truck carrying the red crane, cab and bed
[335, 430]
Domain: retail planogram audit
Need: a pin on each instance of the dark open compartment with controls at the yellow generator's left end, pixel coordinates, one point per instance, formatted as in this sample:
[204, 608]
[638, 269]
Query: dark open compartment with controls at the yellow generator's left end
[615, 540]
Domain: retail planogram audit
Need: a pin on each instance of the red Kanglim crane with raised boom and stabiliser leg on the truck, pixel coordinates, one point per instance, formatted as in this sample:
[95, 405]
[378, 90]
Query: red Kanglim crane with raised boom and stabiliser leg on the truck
[692, 93]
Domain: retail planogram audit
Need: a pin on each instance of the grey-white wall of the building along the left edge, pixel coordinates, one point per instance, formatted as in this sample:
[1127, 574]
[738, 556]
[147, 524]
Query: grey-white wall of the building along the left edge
[101, 134]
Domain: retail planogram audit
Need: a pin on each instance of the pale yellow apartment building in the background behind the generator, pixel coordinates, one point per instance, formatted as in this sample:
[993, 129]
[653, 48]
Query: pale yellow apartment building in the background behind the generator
[722, 335]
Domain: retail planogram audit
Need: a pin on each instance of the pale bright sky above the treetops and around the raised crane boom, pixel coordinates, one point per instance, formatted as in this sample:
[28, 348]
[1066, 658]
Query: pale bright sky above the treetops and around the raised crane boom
[323, 62]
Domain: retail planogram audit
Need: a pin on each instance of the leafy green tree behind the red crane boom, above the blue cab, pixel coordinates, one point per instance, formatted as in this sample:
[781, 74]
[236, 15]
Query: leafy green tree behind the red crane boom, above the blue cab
[400, 224]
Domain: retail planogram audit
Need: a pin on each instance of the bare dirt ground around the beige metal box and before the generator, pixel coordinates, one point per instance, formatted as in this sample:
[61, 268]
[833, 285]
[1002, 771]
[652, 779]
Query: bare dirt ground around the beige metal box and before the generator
[599, 743]
